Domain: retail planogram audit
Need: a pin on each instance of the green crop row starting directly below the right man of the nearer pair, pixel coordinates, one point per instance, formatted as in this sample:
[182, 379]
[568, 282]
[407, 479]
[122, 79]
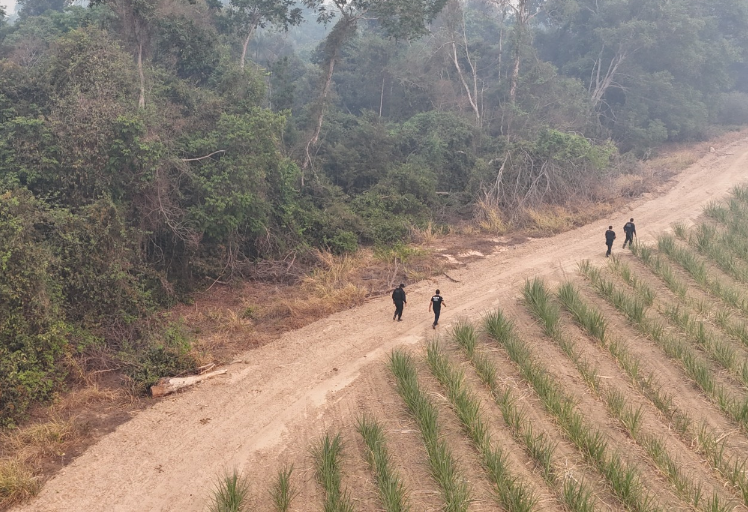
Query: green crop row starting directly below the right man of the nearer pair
[510, 491]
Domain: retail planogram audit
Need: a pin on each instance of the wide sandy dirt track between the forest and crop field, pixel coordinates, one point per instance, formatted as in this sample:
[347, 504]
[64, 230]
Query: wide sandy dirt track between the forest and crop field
[168, 457]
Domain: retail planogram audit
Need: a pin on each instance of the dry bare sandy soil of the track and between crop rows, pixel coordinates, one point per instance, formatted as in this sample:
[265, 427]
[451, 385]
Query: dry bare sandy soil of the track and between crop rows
[277, 401]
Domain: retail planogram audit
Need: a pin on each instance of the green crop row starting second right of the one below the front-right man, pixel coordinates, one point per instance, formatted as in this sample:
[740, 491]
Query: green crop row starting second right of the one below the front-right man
[624, 480]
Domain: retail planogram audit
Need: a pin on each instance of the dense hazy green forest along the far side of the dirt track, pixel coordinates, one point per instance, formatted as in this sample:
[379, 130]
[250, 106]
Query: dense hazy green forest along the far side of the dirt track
[147, 144]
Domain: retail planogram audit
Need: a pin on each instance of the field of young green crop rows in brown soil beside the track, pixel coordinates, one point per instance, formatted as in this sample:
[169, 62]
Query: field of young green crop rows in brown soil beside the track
[624, 388]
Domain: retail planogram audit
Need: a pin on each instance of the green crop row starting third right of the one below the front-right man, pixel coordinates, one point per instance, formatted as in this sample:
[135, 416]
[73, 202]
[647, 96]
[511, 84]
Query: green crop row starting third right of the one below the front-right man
[545, 311]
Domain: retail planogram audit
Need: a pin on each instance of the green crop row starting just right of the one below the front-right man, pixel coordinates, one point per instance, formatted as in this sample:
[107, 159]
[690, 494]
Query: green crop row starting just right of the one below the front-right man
[575, 494]
